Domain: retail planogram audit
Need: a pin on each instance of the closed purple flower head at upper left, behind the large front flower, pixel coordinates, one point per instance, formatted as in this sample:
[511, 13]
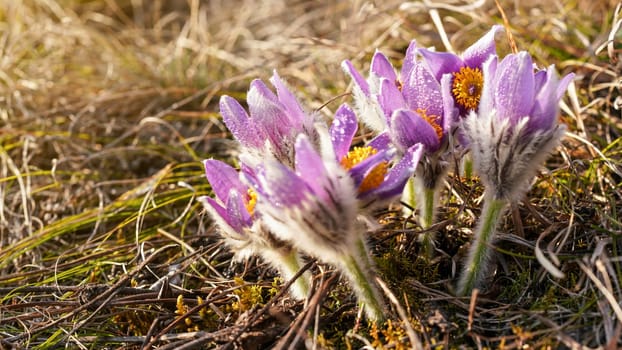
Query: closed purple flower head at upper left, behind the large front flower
[272, 122]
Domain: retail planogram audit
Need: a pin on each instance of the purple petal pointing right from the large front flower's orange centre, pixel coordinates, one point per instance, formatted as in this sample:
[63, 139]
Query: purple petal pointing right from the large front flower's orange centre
[399, 174]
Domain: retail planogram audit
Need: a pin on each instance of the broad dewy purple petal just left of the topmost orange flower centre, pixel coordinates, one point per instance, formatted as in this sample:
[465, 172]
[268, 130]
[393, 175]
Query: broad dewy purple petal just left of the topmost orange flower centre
[423, 91]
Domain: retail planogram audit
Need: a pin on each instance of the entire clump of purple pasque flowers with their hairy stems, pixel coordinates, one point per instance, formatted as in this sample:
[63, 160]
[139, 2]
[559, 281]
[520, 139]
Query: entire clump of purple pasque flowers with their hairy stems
[304, 187]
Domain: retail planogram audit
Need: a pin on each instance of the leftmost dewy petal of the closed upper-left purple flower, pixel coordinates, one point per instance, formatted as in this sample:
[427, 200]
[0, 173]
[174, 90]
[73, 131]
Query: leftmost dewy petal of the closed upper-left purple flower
[238, 122]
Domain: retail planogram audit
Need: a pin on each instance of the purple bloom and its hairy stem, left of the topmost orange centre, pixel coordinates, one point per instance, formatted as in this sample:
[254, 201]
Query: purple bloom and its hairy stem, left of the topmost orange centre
[413, 108]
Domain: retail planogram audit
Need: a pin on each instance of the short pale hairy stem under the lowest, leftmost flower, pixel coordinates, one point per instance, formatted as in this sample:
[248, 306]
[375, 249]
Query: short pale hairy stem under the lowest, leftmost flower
[288, 264]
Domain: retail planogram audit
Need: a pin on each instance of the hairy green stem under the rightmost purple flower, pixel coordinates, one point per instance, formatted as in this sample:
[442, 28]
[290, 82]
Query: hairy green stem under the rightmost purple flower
[479, 252]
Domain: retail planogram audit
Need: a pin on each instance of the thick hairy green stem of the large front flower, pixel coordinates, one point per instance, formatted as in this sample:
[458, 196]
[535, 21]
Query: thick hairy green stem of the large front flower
[359, 271]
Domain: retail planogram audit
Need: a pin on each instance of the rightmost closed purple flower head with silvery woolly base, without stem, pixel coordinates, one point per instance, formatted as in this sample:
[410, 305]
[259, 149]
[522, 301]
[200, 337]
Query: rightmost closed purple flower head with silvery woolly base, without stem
[515, 126]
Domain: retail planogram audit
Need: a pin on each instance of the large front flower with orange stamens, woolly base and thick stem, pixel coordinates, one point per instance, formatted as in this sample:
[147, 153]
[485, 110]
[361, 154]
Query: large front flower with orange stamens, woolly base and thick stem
[317, 205]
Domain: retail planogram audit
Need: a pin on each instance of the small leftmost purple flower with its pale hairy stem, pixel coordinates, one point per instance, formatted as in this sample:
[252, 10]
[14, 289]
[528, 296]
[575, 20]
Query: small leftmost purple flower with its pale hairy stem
[233, 211]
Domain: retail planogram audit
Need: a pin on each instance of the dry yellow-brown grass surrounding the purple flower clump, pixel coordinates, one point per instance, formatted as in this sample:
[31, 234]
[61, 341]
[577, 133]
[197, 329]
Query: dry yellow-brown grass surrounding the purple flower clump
[107, 108]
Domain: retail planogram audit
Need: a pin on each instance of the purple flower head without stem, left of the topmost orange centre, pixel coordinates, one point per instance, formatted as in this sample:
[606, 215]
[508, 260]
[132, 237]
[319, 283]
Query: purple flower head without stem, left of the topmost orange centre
[411, 107]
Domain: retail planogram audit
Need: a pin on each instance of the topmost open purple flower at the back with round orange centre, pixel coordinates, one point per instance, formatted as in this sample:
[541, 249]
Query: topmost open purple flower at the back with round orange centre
[465, 69]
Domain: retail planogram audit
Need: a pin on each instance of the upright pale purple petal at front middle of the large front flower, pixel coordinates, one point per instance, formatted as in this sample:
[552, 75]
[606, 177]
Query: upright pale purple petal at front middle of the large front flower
[310, 166]
